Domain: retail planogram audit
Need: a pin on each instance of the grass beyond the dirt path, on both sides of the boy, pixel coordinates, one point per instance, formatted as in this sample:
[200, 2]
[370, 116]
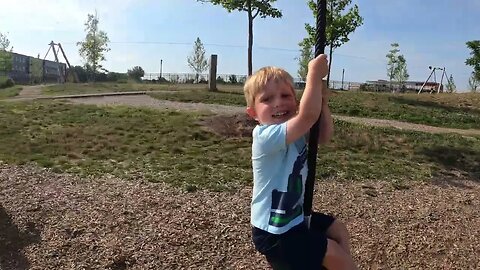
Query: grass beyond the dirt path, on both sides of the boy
[443, 110]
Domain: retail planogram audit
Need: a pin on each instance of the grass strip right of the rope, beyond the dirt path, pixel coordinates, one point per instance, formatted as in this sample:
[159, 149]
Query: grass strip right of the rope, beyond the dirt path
[443, 110]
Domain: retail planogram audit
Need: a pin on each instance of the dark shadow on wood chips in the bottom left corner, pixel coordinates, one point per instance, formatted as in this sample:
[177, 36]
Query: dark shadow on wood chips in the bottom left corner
[12, 241]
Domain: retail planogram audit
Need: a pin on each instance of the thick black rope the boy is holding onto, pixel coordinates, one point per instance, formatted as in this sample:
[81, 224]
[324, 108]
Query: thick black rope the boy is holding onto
[320, 40]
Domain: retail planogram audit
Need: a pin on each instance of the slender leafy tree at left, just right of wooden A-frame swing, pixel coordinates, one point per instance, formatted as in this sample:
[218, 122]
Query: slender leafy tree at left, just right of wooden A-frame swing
[95, 45]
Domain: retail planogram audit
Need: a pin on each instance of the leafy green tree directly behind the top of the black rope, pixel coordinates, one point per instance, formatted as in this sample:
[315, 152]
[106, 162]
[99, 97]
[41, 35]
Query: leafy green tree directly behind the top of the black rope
[339, 25]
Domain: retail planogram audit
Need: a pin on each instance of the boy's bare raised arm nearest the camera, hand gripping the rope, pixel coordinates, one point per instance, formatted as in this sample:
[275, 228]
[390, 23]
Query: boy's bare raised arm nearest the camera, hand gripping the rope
[309, 109]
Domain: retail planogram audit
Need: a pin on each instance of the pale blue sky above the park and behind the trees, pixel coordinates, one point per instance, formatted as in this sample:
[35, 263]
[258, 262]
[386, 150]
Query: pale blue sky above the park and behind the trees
[147, 32]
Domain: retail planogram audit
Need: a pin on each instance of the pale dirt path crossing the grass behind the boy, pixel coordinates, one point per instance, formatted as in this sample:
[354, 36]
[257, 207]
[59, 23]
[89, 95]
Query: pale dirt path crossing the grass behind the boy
[147, 101]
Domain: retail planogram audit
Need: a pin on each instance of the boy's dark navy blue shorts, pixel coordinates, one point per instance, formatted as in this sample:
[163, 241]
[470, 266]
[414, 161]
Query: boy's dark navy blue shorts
[299, 248]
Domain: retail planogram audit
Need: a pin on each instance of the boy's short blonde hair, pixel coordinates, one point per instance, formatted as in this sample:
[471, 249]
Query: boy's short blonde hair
[257, 82]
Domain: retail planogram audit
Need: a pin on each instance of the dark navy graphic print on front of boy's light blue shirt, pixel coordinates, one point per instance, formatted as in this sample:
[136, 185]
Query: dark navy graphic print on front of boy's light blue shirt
[286, 206]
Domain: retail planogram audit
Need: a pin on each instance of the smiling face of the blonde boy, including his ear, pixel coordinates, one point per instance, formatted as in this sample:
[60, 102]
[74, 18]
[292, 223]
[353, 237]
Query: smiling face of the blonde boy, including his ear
[276, 104]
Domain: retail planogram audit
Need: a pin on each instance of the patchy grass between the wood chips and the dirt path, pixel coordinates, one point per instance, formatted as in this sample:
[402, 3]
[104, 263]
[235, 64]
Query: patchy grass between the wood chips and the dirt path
[171, 147]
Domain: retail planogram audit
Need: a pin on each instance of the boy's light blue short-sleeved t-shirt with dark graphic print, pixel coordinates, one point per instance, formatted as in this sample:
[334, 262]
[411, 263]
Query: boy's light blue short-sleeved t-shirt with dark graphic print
[279, 174]
